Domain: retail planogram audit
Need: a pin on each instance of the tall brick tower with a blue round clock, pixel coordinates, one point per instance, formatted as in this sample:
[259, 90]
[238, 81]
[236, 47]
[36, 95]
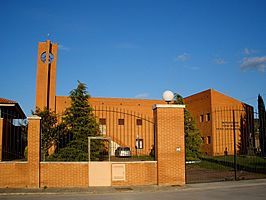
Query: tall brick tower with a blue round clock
[46, 75]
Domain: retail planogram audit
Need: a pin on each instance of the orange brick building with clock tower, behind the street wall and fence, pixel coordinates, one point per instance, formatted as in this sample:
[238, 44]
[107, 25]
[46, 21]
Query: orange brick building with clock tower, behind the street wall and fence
[207, 108]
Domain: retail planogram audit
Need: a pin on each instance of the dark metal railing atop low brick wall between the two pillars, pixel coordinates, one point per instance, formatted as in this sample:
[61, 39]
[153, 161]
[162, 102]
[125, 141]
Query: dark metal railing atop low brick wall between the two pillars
[124, 136]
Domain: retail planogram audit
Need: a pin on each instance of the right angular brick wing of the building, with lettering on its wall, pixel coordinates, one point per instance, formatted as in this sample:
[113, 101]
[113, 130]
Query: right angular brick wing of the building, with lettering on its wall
[212, 112]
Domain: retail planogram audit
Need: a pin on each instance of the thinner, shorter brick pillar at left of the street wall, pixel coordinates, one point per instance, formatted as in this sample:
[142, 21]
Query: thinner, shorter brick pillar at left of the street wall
[34, 127]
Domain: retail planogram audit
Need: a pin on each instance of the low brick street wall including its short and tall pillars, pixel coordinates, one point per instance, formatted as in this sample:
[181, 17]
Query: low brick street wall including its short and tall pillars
[169, 169]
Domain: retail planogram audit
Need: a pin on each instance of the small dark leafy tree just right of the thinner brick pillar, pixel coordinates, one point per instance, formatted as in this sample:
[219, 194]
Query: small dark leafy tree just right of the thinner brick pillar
[49, 127]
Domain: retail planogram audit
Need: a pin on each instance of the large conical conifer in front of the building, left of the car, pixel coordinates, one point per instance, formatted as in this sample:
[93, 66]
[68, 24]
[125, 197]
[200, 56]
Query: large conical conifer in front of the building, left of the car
[80, 123]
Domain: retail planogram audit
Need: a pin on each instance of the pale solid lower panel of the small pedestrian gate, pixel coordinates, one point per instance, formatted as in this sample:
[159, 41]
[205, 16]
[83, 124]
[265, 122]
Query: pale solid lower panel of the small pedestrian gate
[99, 174]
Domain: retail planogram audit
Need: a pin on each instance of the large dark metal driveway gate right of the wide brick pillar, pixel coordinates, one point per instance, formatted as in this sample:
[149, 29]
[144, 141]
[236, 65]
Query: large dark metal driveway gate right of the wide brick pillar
[231, 147]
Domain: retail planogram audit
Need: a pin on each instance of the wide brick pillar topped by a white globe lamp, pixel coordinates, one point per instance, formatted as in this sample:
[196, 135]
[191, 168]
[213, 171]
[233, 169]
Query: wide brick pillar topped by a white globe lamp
[170, 144]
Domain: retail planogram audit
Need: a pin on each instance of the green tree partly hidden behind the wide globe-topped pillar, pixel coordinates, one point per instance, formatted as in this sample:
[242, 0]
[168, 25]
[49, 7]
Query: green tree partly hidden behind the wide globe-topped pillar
[193, 139]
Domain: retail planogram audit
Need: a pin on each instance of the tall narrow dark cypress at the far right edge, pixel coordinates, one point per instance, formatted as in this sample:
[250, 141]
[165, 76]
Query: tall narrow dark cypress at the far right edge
[262, 125]
